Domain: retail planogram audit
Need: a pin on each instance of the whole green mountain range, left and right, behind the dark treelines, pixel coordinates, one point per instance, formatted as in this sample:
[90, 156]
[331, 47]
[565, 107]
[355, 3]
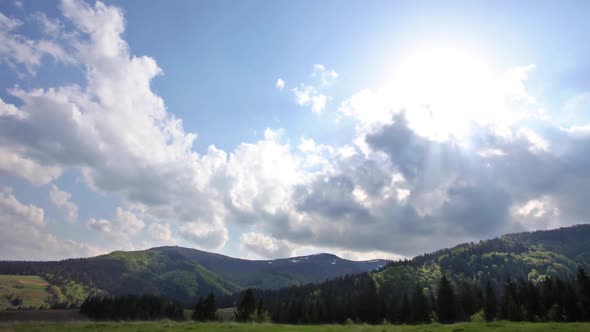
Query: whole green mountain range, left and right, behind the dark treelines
[186, 274]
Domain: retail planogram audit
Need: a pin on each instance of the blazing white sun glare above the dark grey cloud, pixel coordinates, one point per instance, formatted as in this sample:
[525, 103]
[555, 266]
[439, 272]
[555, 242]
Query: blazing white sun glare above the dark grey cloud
[445, 91]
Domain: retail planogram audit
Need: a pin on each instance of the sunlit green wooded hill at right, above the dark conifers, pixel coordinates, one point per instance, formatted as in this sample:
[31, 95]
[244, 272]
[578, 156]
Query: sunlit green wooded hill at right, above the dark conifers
[531, 256]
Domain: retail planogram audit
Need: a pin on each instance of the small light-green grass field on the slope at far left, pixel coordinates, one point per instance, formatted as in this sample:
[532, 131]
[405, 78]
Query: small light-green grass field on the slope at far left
[32, 290]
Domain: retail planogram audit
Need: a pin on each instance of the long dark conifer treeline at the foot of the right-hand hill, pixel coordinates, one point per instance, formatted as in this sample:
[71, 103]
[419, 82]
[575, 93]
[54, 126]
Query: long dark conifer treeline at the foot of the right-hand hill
[359, 298]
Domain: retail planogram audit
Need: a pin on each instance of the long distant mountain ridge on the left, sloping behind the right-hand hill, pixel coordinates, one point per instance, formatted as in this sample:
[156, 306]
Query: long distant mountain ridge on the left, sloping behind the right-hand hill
[181, 273]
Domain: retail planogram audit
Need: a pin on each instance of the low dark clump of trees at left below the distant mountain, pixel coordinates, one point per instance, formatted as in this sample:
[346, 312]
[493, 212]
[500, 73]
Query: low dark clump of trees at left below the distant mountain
[132, 307]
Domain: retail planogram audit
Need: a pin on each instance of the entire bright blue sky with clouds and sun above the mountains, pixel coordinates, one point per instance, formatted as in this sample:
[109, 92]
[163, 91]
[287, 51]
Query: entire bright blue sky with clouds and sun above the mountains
[266, 129]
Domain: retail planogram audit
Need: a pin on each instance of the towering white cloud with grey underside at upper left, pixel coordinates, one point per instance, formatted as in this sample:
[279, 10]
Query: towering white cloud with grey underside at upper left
[113, 130]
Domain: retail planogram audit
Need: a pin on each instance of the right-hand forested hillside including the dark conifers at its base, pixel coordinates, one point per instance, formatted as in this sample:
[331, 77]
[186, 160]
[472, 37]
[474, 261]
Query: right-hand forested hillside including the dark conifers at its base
[529, 276]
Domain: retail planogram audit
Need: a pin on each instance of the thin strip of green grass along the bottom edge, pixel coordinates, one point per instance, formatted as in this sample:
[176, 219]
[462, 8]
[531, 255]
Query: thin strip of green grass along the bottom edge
[189, 326]
